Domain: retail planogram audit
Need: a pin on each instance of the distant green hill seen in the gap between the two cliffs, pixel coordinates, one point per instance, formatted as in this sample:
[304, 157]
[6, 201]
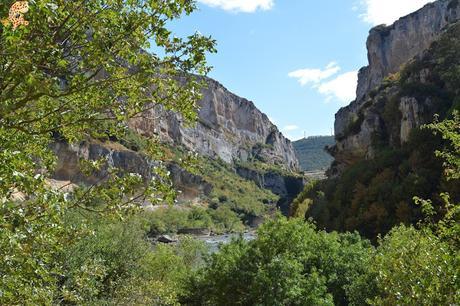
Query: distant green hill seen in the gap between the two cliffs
[311, 152]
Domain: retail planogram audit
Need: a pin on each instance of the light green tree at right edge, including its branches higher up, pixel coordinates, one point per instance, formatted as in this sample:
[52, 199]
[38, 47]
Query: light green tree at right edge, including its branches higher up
[420, 266]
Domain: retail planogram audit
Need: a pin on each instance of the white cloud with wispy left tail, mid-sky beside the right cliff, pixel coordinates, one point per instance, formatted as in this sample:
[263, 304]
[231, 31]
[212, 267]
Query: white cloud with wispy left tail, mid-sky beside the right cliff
[342, 88]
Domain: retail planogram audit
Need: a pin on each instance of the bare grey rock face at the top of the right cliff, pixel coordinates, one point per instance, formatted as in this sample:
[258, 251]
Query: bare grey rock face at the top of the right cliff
[392, 46]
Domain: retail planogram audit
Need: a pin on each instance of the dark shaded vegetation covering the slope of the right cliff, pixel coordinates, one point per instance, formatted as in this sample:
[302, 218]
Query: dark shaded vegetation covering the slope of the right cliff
[373, 195]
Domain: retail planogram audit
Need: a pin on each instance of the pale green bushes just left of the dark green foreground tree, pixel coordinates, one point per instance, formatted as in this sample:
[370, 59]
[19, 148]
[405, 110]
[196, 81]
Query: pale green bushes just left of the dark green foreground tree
[117, 265]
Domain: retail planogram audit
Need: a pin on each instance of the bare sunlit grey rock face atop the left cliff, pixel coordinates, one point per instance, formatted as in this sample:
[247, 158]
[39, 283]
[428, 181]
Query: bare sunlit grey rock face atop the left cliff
[229, 127]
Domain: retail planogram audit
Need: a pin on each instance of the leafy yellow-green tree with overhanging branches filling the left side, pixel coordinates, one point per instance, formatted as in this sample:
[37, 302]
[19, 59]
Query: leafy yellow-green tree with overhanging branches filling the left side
[80, 69]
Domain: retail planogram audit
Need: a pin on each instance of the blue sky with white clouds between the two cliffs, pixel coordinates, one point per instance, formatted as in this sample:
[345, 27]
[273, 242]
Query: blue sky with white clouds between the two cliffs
[297, 60]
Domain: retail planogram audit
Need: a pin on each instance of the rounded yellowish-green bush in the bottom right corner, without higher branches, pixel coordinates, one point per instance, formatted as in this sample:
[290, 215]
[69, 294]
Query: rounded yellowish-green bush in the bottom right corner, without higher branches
[411, 267]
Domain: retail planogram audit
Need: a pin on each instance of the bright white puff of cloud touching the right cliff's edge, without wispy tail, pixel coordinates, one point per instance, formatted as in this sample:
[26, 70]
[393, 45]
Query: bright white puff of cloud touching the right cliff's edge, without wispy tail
[342, 88]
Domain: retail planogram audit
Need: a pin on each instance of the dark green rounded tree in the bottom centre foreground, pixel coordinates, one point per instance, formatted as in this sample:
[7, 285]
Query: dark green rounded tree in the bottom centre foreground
[289, 263]
